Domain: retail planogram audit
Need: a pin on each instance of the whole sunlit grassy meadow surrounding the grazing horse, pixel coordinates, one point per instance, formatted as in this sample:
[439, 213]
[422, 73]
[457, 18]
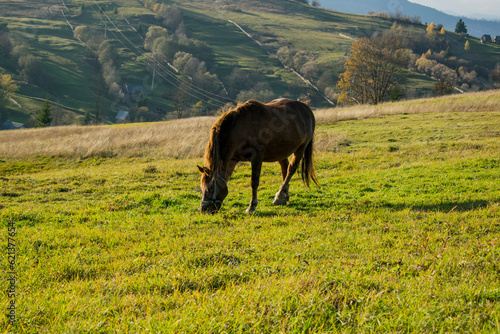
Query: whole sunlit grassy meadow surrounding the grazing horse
[402, 236]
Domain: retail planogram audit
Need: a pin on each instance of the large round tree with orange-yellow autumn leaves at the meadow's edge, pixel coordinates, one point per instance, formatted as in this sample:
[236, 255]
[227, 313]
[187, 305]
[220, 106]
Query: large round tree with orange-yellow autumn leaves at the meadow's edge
[373, 70]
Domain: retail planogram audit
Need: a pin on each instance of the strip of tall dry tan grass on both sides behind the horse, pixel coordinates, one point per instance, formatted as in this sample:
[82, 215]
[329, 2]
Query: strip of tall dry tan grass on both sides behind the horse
[186, 138]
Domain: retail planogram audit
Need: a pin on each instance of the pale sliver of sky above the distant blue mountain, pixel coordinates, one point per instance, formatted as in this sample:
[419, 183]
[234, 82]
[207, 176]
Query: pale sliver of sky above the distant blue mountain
[483, 9]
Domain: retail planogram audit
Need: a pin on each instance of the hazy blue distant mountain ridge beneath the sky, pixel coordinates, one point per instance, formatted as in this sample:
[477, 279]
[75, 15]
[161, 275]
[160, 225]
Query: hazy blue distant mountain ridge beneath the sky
[475, 27]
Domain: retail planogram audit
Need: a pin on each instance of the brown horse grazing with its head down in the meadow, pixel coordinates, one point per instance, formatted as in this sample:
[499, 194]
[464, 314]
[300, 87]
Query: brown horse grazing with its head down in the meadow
[258, 132]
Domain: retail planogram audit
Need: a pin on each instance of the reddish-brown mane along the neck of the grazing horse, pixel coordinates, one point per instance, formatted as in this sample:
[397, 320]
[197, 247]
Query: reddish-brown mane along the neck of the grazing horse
[220, 132]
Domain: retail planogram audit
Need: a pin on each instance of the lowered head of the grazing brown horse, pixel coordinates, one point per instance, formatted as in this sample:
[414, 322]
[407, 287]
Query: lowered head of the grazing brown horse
[214, 190]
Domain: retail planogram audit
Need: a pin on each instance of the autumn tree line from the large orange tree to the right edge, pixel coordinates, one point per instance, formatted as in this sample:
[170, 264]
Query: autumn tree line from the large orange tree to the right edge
[378, 67]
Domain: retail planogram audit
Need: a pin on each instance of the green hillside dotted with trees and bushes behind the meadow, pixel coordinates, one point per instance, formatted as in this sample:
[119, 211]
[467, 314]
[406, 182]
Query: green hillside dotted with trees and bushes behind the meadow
[159, 59]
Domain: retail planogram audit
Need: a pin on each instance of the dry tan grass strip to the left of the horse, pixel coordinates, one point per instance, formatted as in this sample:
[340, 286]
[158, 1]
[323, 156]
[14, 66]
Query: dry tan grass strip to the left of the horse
[182, 138]
